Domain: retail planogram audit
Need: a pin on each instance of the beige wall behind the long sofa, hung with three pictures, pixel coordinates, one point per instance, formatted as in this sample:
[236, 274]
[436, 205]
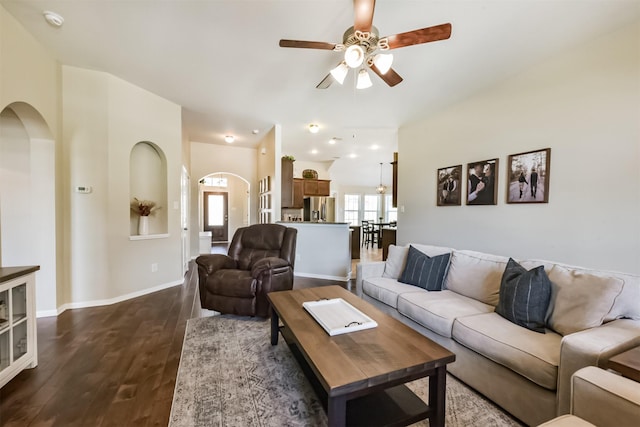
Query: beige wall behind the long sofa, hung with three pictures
[585, 105]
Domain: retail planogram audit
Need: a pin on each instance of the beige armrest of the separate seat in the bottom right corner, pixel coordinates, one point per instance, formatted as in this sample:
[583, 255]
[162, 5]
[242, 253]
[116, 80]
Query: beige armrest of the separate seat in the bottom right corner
[604, 398]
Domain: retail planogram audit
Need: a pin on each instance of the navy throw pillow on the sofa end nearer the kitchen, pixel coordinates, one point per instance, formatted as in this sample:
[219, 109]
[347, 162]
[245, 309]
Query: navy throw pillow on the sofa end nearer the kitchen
[425, 271]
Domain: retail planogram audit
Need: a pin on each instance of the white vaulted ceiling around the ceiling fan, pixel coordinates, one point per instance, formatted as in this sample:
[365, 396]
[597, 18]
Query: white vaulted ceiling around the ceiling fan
[220, 60]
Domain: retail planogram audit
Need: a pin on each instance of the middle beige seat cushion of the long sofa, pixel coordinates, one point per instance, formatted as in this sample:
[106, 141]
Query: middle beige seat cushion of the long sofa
[437, 310]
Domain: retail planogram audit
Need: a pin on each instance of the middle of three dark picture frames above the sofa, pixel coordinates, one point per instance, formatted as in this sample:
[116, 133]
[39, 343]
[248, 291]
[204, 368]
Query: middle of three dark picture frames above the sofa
[482, 182]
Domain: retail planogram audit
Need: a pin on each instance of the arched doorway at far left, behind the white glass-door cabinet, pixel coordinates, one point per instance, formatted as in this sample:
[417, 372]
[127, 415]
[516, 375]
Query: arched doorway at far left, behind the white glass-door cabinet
[27, 198]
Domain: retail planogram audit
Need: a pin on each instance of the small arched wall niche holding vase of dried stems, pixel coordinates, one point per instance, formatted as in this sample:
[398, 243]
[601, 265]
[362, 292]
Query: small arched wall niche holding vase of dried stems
[148, 182]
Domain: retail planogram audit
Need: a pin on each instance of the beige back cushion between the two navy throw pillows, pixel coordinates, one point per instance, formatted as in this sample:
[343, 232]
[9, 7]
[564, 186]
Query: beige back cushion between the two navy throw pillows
[476, 275]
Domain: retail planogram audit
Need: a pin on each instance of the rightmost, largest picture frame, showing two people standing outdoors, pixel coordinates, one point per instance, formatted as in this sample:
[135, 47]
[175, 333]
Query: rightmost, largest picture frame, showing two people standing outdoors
[528, 176]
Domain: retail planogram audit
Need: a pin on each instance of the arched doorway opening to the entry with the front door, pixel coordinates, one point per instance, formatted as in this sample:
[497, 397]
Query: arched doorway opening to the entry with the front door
[224, 204]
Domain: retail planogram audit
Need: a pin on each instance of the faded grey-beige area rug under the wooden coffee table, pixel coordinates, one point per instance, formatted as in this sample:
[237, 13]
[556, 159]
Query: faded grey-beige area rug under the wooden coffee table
[231, 375]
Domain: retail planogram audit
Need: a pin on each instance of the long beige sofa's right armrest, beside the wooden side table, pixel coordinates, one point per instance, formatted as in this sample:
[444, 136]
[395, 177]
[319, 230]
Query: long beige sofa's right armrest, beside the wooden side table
[592, 347]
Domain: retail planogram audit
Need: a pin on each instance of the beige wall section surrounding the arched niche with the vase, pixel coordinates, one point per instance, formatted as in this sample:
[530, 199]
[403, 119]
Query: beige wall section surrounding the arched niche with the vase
[104, 117]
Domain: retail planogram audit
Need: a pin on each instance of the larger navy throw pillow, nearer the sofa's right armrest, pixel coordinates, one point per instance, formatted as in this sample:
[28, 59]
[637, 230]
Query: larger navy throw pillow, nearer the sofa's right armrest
[524, 296]
